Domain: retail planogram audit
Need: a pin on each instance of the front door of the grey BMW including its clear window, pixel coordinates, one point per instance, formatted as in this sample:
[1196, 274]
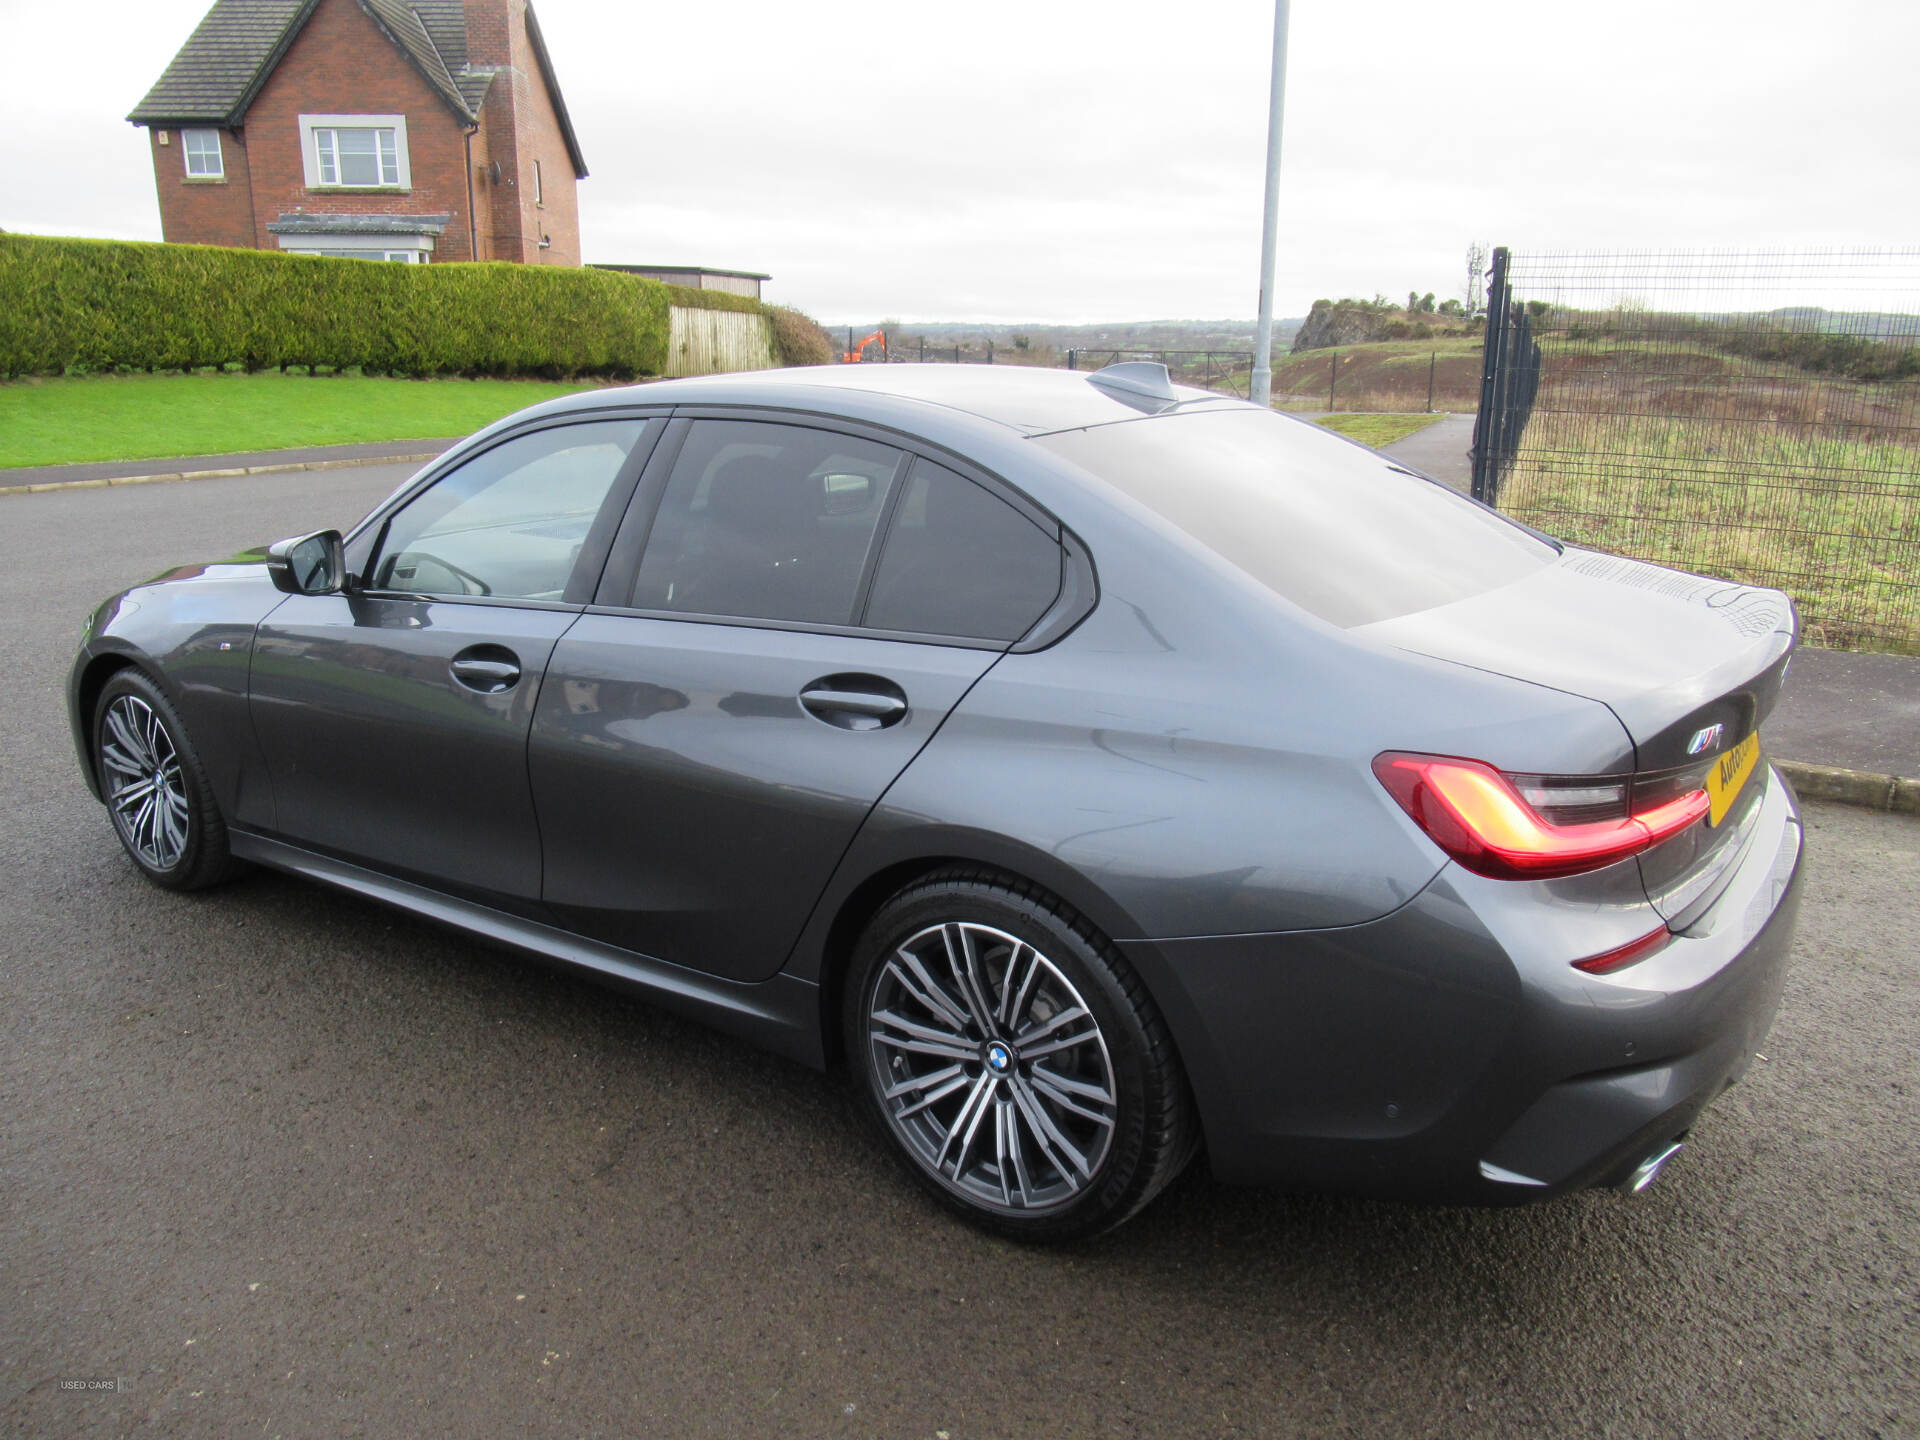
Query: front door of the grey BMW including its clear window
[395, 717]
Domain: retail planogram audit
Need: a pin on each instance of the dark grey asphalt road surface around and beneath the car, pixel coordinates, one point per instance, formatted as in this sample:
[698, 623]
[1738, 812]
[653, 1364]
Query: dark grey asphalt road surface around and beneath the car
[283, 1163]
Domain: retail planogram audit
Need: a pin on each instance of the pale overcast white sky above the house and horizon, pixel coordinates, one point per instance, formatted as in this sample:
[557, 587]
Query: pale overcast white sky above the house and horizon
[1049, 160]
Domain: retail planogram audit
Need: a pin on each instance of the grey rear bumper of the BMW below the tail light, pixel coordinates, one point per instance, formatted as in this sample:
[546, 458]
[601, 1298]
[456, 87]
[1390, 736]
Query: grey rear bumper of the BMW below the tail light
[1420, 1057]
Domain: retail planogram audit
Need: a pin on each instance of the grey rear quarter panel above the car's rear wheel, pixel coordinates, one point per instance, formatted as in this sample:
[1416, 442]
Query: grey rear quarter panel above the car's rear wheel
[1195, 759]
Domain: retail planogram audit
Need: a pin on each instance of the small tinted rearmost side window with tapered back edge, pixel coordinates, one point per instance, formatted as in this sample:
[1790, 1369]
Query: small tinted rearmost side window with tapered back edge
[961, 562]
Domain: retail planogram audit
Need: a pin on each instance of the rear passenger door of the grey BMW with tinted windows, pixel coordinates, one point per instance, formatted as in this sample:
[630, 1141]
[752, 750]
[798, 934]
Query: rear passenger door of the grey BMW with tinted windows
[788, 617]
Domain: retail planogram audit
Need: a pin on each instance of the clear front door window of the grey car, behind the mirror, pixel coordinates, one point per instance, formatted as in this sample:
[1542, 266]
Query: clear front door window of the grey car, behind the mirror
[510, 523]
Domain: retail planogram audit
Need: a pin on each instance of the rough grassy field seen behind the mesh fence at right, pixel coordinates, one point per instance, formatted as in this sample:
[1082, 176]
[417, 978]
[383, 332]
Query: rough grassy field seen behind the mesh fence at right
[1812, 487]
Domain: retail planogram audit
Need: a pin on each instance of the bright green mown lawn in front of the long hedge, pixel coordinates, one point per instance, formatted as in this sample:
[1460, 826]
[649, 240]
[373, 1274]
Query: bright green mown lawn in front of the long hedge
[130, 418]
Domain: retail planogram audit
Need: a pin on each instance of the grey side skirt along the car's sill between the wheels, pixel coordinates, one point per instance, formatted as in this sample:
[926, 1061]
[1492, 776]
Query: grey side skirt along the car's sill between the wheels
[780, 1015]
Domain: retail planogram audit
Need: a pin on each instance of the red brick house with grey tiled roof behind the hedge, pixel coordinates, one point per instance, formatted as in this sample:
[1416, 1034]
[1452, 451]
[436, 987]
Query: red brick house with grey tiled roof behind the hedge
[381, 130]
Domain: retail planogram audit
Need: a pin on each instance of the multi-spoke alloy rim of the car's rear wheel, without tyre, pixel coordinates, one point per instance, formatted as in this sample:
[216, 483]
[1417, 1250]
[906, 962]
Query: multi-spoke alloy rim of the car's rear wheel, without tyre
[992, 1068]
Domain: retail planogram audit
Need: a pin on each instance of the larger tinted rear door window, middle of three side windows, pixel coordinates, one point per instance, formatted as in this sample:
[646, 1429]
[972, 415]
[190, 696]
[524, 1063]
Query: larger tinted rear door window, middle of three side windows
[765, 521]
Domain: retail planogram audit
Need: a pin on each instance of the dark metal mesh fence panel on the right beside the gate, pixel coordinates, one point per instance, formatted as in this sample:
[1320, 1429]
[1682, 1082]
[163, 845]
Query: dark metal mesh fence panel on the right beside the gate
[1746, 416]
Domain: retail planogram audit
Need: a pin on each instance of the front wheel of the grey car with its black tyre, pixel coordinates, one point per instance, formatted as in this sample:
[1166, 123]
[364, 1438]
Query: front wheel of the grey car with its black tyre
[156, 788]
